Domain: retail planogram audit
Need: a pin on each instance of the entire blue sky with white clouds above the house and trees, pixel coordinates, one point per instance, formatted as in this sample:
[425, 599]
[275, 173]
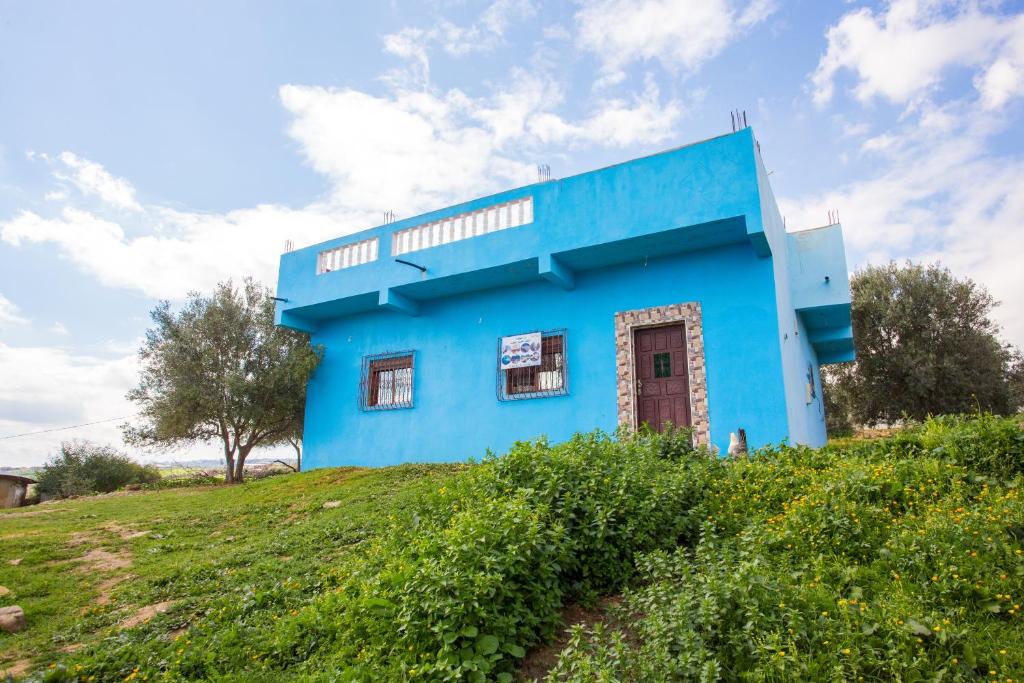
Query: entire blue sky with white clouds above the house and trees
[149, 150]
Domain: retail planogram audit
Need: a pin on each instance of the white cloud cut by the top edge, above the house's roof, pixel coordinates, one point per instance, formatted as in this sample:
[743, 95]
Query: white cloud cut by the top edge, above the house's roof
[679, 34]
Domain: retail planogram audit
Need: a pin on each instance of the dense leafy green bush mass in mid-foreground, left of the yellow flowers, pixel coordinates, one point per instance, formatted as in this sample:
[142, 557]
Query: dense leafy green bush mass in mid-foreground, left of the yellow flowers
[480, 575]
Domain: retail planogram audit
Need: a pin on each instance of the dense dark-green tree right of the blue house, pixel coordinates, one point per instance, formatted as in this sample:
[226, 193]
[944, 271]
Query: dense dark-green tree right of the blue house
[926, 346]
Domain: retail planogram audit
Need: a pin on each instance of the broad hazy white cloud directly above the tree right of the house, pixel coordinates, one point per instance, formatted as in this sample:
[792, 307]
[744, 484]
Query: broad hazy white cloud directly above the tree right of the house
[937, 198]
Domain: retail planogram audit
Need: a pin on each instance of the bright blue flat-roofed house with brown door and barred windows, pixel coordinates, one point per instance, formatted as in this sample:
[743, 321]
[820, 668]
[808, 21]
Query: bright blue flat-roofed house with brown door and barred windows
[664, 289]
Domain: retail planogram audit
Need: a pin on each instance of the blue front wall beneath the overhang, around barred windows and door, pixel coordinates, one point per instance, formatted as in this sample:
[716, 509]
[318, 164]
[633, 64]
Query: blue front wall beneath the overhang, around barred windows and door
[457, 414]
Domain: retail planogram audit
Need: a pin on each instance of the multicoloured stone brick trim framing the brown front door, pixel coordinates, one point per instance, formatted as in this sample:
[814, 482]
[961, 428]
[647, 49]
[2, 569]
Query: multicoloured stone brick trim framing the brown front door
[690, 316]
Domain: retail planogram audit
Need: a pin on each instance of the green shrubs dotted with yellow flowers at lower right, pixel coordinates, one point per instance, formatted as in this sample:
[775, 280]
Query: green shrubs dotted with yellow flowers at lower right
[866, 565]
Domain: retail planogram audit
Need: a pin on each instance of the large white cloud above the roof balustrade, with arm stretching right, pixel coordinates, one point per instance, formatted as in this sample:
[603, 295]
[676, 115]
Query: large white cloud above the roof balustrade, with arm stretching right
[375, 150]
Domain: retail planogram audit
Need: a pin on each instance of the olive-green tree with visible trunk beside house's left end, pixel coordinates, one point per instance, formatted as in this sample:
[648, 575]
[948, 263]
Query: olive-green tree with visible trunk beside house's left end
[221, 370]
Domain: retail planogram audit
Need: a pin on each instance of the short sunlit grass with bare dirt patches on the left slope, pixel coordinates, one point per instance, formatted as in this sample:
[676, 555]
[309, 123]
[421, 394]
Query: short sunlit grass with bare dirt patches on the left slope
[204, 547]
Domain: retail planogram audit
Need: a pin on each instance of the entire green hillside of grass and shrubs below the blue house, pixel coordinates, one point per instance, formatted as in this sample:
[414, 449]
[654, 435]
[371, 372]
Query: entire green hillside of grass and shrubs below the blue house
[900, 559]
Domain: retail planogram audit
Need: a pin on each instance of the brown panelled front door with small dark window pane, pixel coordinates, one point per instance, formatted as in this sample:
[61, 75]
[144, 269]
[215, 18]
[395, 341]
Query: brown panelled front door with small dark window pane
[663, 385]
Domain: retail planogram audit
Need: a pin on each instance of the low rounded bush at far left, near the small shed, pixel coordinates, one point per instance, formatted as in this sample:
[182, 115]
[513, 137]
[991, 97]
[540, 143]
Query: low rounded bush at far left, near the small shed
[83, 468]
